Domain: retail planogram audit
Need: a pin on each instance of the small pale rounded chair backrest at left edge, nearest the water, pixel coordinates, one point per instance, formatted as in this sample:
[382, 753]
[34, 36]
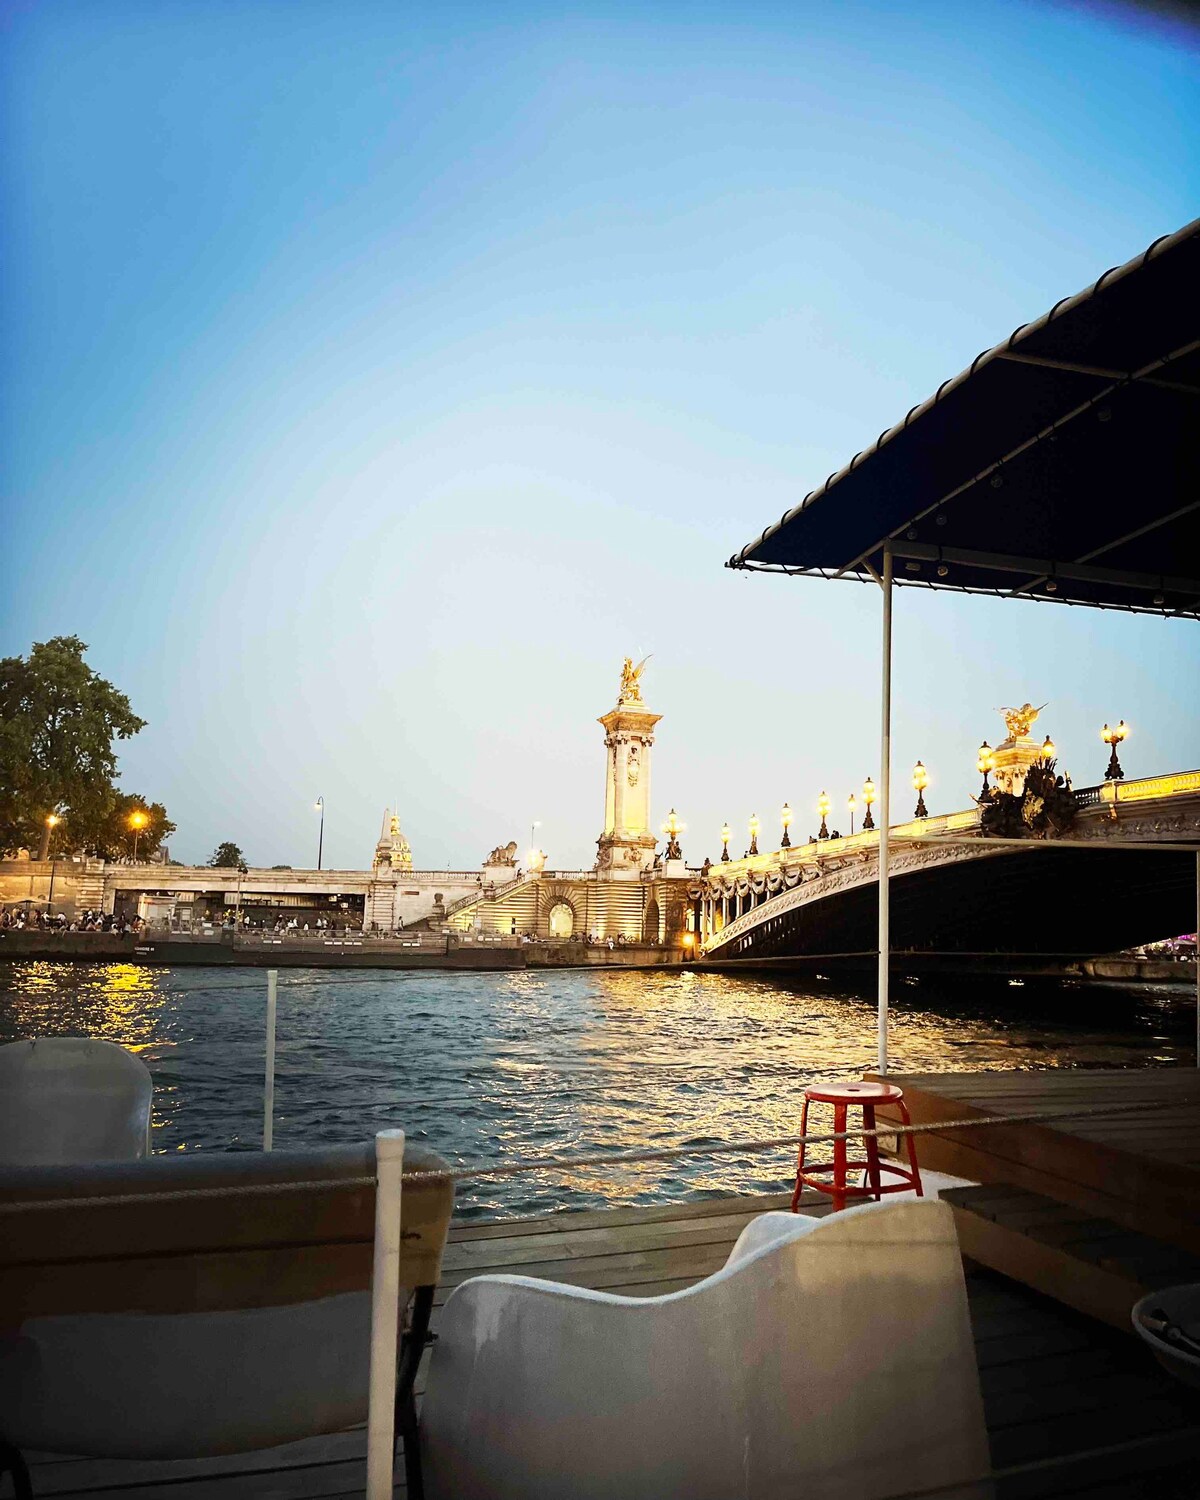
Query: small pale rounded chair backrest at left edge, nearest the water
[73, 1100]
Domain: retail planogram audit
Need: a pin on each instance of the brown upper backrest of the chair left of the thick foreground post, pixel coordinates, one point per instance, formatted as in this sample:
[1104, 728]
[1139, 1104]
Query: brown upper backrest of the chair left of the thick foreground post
[310, 1235]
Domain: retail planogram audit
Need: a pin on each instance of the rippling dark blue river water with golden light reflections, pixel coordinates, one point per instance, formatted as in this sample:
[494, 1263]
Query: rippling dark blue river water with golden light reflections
[493, 1069]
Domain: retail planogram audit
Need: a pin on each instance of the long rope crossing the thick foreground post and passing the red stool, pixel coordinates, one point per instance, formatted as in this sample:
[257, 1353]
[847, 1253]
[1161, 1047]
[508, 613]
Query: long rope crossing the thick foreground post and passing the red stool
[598, 1160]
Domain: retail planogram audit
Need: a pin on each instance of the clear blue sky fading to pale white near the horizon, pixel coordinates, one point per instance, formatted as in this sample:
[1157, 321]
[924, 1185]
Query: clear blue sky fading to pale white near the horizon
[376, 377]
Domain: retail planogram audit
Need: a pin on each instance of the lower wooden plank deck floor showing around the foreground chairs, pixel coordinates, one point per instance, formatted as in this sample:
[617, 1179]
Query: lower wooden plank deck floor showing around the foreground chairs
[1055, 1384]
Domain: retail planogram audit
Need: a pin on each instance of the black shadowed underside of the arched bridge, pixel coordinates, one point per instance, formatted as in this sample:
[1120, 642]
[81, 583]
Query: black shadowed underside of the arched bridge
[1063, 904]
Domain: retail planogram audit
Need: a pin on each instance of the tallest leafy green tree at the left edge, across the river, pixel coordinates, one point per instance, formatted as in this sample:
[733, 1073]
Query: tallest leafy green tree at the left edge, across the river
[59, 722]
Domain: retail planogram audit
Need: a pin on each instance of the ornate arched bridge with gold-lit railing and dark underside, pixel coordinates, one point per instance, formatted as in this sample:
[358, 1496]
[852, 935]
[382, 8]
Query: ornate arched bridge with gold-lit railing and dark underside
[956, 895]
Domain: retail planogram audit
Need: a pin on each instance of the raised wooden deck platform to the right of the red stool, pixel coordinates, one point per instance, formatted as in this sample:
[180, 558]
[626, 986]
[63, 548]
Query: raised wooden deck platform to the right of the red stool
[1139, 1169]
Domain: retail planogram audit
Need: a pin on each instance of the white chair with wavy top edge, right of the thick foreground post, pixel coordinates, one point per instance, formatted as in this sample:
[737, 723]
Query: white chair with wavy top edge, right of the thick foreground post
[829, 1358]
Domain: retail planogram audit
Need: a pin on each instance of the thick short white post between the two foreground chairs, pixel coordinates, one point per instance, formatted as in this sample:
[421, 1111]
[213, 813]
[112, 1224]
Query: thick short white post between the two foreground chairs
[385, 1316]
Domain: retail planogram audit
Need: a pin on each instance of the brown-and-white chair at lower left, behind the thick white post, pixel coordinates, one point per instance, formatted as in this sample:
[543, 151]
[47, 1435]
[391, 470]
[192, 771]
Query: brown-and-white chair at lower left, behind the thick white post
[226, 1307]
